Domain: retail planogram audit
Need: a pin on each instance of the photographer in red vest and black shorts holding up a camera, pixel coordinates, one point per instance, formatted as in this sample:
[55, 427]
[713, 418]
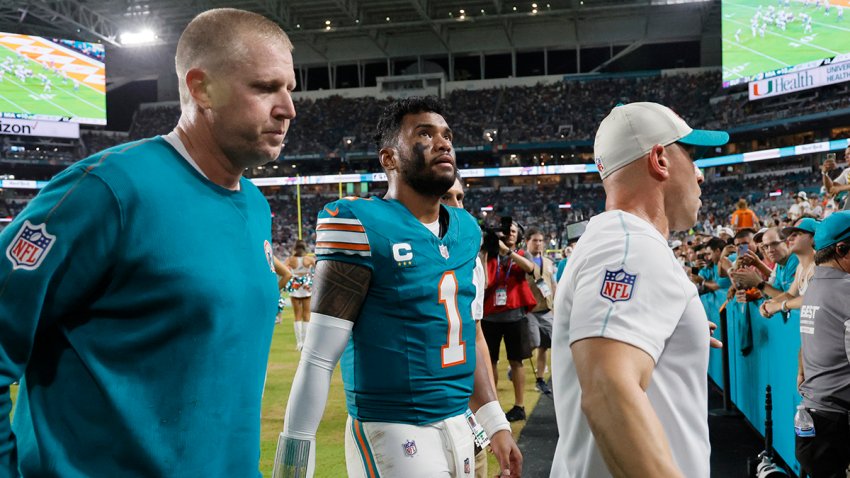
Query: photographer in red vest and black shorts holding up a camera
[507, 298]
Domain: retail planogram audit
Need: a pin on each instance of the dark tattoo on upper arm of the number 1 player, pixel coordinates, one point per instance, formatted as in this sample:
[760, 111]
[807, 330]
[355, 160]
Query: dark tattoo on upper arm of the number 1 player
[339, 289]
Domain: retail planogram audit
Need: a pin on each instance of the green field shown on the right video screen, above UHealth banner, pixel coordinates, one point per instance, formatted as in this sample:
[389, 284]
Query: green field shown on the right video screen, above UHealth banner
[750, 55]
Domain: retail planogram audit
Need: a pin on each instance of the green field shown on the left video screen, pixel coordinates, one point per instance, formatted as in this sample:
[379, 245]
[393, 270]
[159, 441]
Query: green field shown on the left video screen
[30, 96]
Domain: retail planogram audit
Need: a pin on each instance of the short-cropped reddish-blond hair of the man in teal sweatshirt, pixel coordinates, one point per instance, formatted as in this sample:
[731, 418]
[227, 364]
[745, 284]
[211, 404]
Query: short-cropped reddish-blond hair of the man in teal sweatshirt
[215, 41]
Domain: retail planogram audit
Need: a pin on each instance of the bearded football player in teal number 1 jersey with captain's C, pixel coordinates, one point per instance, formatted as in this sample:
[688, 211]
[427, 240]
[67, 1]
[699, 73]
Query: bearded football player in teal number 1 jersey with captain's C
[393, 297]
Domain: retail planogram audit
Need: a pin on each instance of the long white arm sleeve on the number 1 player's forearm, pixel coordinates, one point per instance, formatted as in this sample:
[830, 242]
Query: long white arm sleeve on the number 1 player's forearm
[324, 346]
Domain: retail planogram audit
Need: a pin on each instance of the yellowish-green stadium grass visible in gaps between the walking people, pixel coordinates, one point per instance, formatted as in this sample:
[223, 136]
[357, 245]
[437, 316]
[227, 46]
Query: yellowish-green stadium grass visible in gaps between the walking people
[330, 438]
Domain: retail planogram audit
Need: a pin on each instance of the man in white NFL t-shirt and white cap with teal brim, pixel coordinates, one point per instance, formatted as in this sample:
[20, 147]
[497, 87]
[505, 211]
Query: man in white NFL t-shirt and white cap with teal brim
[629, 352]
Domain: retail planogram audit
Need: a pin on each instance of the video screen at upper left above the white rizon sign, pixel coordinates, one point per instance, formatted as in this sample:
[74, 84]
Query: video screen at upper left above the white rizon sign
[51, 79]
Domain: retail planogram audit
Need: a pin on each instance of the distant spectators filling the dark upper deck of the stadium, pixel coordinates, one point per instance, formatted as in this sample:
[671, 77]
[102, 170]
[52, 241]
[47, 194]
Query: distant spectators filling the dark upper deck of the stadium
[561, 111]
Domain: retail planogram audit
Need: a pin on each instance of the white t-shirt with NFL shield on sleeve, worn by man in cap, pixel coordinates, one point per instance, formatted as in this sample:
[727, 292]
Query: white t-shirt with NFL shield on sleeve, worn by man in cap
[624, 283]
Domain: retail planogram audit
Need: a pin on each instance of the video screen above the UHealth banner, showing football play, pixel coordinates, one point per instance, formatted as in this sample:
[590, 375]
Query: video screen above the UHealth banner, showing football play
[764, 38]
